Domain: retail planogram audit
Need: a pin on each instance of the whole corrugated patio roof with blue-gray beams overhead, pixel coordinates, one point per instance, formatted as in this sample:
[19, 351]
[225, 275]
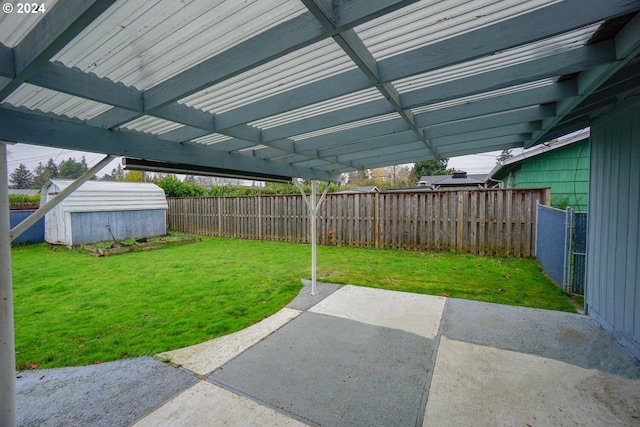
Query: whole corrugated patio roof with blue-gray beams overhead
[311, 88]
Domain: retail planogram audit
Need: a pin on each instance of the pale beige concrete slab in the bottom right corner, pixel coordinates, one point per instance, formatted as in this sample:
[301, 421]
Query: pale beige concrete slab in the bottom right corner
[484, 386]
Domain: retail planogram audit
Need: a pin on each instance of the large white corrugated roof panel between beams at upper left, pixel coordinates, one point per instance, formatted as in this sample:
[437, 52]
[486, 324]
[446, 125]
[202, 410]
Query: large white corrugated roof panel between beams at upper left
[144, 43]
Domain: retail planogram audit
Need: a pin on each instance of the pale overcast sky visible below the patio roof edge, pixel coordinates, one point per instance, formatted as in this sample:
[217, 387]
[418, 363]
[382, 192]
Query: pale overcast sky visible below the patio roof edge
[31, 155]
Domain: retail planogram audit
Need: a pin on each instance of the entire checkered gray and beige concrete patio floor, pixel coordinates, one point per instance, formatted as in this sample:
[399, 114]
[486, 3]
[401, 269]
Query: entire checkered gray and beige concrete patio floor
[355, 356]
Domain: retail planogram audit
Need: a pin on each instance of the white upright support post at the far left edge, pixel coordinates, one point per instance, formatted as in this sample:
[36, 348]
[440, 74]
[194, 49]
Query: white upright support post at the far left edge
[7, 339]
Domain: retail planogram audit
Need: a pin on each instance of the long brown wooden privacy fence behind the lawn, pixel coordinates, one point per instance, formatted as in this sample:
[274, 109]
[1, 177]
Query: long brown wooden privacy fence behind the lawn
[485, 221]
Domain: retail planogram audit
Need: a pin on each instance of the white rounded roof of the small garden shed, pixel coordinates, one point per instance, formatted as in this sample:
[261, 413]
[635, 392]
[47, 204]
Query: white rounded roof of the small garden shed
[102, 196]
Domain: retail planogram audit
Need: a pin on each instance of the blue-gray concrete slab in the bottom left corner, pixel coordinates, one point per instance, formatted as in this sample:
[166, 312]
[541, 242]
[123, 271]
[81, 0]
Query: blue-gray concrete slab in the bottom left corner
[109, 394]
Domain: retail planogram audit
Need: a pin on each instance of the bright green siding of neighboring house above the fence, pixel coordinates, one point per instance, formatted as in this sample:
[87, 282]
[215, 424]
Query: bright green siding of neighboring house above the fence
[565, 170]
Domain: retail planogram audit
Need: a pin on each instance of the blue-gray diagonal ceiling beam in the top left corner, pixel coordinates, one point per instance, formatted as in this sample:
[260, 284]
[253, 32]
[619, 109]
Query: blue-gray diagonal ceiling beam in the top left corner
[62, 22]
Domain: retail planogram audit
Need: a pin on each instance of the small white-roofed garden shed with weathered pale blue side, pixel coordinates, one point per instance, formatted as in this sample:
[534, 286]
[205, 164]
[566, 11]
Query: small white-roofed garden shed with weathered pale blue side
[97, 209]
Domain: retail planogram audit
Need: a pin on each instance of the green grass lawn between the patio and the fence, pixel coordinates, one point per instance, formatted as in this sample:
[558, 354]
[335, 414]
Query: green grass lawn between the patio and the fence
[74, 309]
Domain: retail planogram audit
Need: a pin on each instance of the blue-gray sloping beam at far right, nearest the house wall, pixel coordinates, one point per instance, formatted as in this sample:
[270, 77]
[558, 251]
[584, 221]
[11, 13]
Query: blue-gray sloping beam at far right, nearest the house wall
[627, 47]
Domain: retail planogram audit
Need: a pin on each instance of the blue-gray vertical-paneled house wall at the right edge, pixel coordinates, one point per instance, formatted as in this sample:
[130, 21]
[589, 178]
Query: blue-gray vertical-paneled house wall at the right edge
[613, 260]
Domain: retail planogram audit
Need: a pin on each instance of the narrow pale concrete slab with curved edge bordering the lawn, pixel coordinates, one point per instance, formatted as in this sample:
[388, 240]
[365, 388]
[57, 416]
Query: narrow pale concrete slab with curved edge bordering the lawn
[203, 358]
